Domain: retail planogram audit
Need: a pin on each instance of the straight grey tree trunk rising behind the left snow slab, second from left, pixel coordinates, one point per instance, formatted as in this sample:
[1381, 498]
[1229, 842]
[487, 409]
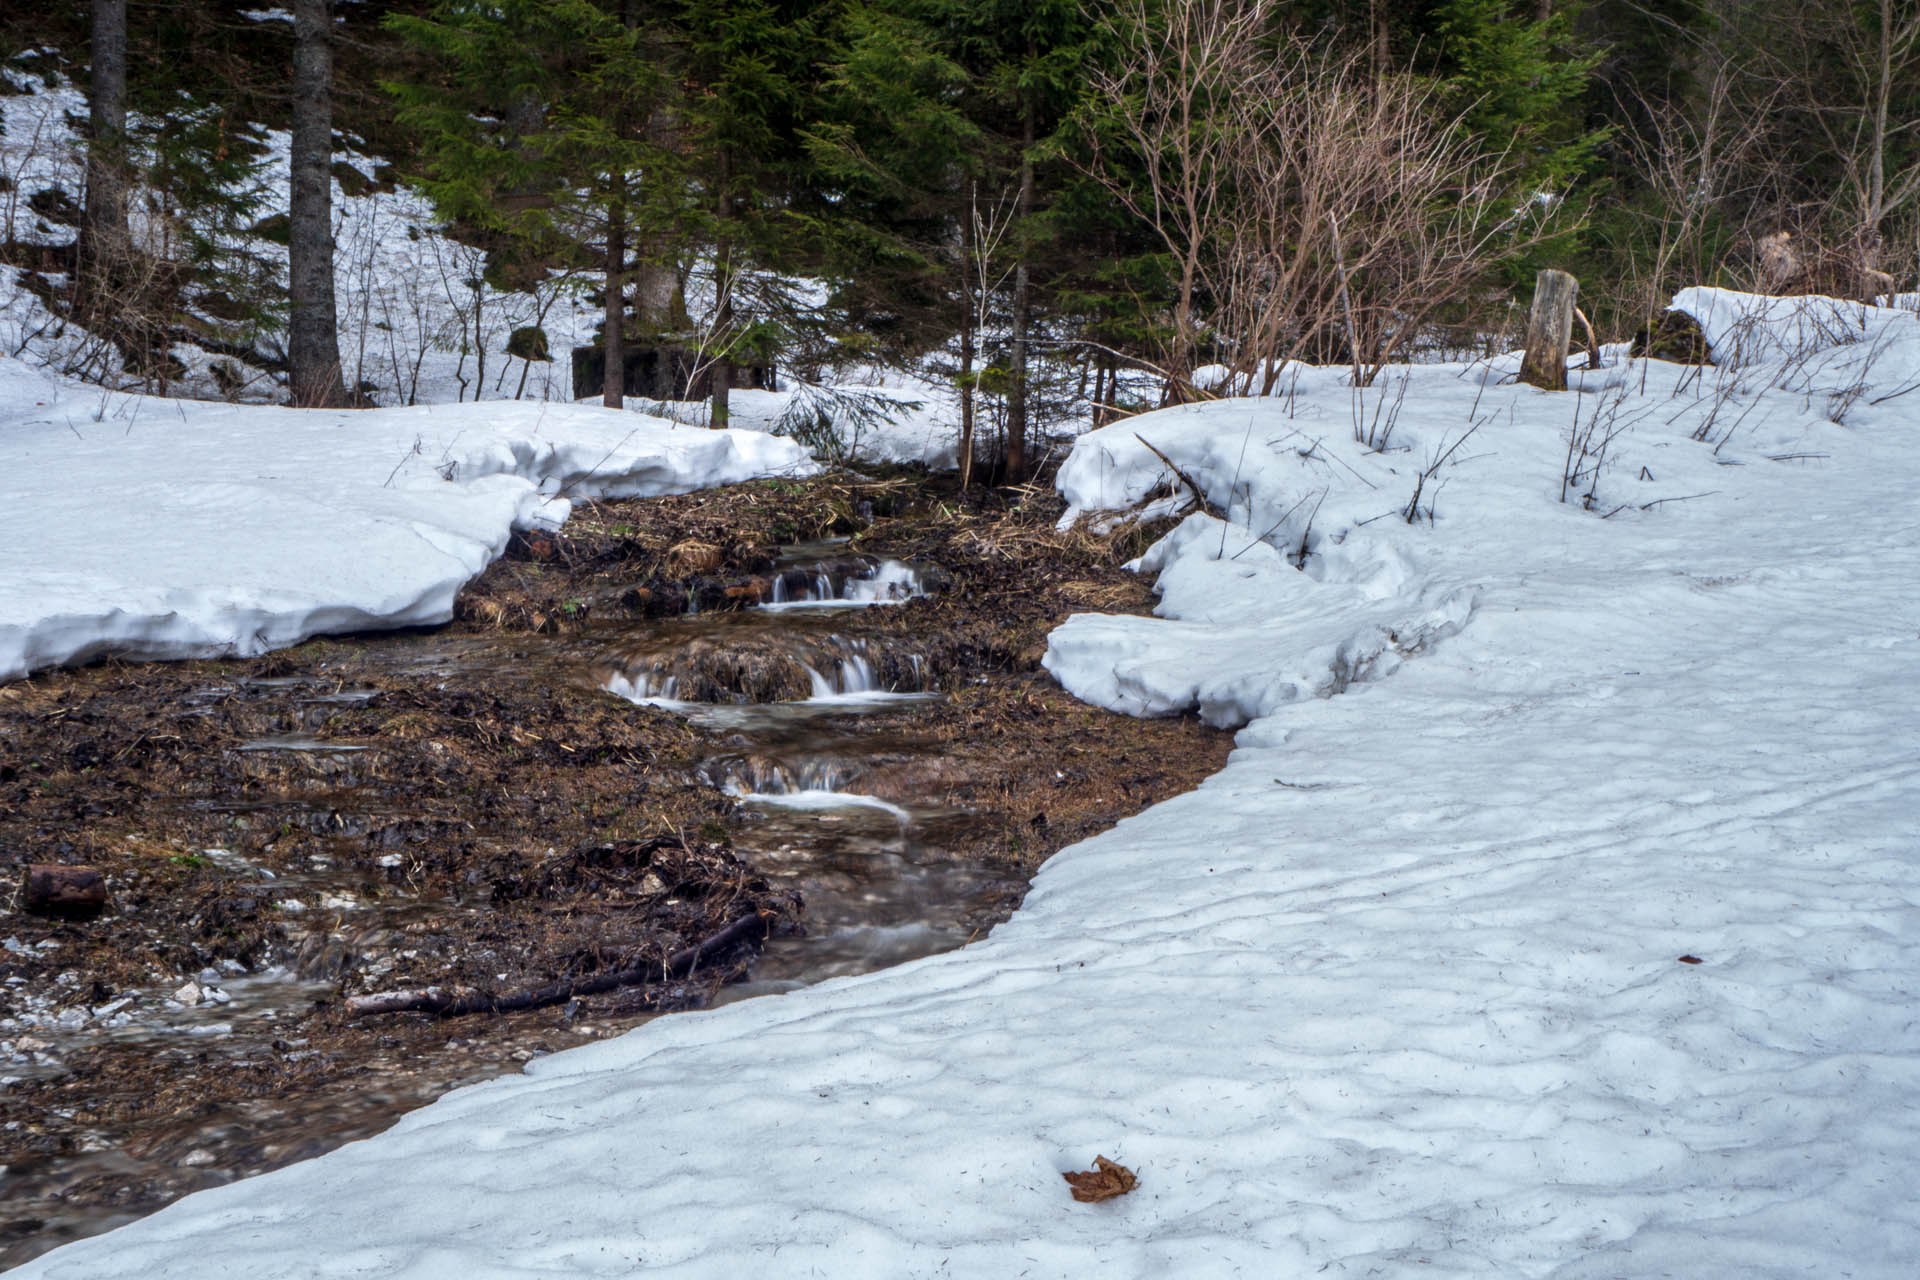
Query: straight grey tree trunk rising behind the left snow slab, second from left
[312, 329]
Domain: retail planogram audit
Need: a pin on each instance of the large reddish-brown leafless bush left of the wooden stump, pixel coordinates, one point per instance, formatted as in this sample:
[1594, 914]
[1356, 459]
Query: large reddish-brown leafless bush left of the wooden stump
[1310, 204]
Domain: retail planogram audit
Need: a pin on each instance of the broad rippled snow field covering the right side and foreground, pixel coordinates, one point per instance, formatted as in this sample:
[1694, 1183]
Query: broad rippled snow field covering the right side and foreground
[1577, 937]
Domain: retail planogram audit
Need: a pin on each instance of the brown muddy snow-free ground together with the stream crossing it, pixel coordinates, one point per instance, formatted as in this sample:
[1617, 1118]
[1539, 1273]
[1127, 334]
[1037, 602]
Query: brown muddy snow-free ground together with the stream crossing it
[809, 703]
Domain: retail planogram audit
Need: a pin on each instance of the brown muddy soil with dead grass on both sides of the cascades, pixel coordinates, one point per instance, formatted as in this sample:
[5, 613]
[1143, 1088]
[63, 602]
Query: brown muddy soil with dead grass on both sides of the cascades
[512, 822]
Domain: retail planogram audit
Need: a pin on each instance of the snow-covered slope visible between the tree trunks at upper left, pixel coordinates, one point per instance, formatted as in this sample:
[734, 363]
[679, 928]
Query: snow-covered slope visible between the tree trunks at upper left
[420, 325]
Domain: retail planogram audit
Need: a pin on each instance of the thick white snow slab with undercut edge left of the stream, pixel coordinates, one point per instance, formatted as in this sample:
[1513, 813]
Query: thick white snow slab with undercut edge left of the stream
[156, 529]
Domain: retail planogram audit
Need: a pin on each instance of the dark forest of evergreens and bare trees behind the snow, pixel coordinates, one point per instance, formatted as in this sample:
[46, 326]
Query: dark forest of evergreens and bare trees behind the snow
[1053, 210]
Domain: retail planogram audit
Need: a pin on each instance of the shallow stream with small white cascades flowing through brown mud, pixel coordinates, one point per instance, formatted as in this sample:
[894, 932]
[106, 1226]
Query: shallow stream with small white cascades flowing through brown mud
[813, 734]
